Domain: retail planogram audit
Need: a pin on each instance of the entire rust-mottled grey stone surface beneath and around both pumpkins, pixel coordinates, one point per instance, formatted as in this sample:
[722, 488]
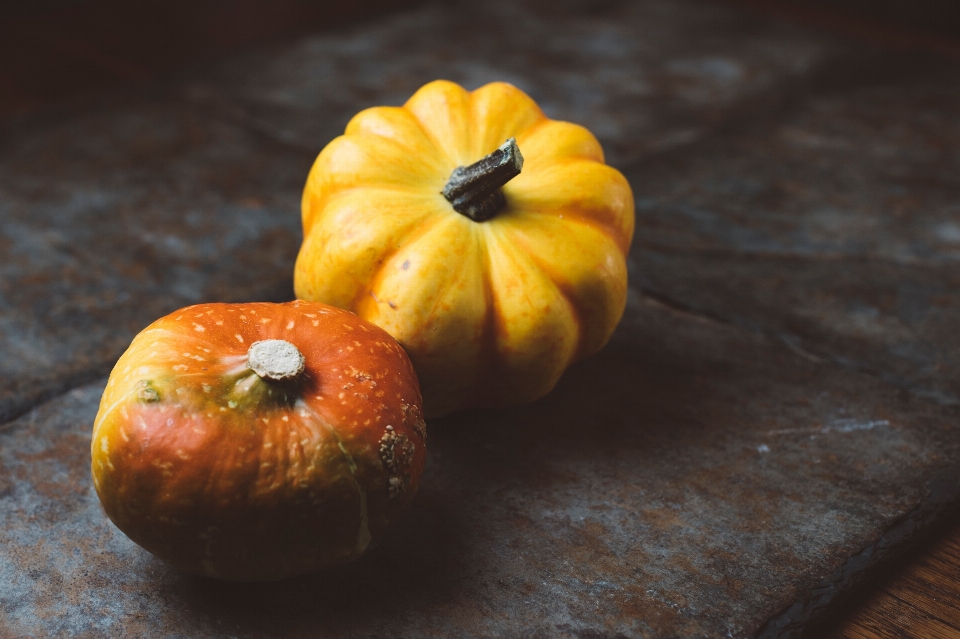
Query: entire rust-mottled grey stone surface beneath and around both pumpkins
[777, 412]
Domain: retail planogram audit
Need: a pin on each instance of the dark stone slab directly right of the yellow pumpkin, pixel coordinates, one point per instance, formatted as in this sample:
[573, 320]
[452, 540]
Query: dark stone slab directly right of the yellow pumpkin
[832, 224]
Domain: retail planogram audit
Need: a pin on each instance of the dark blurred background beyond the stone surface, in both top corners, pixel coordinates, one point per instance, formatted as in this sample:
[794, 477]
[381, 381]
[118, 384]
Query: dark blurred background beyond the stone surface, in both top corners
[50, 49]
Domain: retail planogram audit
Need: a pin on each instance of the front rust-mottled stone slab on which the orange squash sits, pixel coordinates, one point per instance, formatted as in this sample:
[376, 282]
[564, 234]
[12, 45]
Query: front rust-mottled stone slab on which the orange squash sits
[692, 479]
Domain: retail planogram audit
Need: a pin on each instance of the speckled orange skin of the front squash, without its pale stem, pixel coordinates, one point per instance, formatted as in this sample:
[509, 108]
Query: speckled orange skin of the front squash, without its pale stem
[221, 472]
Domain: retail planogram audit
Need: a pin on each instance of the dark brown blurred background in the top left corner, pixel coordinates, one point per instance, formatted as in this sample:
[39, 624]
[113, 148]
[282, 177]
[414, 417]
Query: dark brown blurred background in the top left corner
[53, 48]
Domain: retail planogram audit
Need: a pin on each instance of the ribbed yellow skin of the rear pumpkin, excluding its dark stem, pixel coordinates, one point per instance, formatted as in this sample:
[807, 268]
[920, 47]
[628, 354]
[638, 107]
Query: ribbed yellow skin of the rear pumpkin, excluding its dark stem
[492, 312]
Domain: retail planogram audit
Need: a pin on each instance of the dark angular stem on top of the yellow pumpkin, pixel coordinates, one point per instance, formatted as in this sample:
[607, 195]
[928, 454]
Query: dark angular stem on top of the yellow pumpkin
[474, 190]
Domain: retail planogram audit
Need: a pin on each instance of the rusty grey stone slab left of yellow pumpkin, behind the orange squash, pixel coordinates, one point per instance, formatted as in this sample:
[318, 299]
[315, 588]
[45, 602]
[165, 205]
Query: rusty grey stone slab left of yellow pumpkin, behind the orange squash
[121, 214]
